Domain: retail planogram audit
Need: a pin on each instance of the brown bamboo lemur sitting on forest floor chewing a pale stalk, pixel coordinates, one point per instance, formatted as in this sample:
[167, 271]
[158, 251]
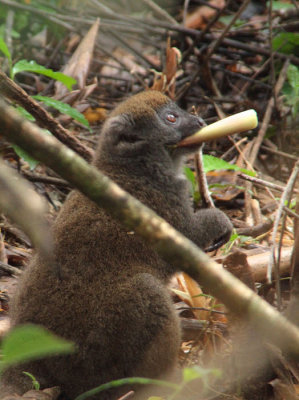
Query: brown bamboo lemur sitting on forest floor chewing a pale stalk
[112, 301]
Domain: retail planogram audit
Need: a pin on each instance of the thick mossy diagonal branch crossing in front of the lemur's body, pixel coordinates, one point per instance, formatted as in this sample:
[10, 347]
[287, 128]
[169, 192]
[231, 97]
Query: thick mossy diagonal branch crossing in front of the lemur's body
[170, 244]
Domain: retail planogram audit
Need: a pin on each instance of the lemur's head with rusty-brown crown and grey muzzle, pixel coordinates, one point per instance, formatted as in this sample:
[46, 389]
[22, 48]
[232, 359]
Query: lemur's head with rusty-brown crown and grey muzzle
[148, 125]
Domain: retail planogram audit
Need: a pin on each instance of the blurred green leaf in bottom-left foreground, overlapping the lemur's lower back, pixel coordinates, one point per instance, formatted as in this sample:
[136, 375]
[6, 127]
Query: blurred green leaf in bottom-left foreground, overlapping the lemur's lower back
[30, 342]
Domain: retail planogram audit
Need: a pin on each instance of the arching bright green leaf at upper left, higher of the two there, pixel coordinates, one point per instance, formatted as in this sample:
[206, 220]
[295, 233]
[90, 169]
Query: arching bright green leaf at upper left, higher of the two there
[24, 65]
